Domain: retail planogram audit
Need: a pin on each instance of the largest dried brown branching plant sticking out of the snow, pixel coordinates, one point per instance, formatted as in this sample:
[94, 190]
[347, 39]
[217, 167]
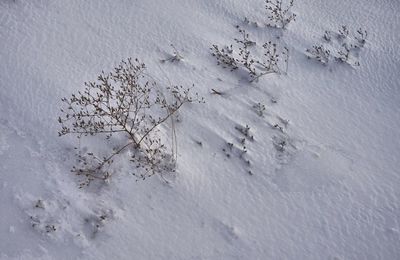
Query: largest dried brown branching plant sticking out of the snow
[127, 103]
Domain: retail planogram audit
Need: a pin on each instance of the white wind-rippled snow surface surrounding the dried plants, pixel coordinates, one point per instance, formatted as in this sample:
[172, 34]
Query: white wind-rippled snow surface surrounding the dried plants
[332, 194]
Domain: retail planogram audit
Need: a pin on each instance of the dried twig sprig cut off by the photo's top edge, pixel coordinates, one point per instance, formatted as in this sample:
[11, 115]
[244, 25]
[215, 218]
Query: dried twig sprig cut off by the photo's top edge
[279, 15]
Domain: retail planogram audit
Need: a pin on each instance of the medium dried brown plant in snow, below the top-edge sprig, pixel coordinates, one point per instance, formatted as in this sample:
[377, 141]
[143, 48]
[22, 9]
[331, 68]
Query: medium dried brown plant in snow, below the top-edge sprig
[242, 57]
